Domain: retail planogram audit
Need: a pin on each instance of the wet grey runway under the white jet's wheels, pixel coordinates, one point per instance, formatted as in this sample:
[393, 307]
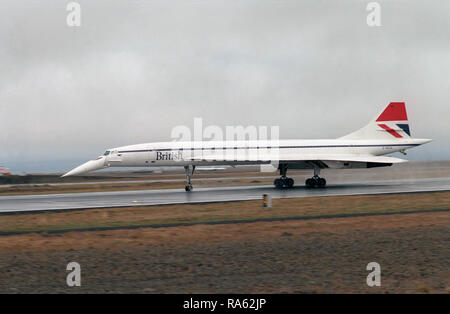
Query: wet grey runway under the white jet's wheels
[175, 196]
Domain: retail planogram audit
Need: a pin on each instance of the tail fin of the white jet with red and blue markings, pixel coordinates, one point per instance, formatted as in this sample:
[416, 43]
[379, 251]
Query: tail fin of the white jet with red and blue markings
[392, 123]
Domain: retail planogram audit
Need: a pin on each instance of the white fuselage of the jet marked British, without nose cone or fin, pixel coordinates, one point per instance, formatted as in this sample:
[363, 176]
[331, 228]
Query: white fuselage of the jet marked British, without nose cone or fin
[246, 152]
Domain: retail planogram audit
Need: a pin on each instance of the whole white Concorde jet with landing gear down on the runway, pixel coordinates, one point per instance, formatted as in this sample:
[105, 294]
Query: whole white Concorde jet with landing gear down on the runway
[386, 134]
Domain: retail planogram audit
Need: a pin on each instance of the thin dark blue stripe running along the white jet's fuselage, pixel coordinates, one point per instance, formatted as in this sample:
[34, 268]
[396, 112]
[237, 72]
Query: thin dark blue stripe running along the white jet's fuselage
[264, 147]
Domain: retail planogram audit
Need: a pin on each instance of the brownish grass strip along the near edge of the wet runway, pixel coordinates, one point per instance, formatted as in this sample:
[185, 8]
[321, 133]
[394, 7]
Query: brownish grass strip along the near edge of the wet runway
[227, 211]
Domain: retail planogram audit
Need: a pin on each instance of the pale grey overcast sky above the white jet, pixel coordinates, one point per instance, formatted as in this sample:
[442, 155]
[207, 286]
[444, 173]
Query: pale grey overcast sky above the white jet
[136, 69]
